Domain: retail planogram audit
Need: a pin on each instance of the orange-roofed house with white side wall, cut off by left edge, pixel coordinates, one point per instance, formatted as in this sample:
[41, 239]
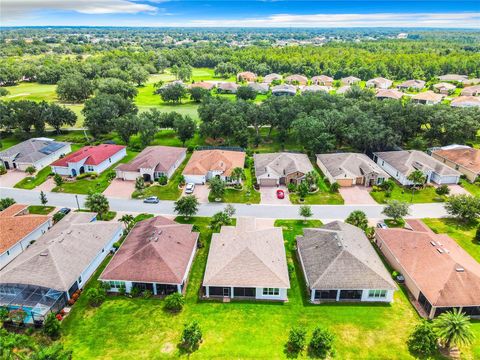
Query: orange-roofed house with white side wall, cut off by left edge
[18, 229]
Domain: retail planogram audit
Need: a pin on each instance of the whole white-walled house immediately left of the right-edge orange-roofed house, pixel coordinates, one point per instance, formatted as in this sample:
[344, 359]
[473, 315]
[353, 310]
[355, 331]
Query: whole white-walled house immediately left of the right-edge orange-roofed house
[400, 164]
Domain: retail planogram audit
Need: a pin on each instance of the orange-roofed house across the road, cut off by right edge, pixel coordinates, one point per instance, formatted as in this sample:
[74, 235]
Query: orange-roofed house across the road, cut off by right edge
[461, 158]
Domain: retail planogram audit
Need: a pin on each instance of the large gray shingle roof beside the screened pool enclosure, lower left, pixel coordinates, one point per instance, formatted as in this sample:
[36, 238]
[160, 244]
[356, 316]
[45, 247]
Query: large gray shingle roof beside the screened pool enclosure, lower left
[58, 258]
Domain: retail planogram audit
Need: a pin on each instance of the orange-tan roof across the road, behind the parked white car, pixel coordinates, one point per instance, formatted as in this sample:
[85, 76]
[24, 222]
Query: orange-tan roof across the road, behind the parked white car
[203, 161]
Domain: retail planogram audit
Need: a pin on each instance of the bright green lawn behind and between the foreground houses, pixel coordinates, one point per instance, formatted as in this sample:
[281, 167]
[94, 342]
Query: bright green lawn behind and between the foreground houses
[123, 328]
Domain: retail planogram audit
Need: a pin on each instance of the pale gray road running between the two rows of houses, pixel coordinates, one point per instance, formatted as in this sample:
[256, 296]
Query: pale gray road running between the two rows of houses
[324, 212]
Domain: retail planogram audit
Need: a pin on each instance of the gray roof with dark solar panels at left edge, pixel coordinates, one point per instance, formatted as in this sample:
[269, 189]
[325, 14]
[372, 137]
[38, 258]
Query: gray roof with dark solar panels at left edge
[32, 150]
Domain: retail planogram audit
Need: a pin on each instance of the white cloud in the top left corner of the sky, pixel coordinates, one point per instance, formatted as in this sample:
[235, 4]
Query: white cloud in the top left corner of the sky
[22, 8]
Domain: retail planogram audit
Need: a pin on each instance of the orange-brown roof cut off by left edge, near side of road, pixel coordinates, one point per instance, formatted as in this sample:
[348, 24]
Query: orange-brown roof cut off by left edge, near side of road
[15, 224]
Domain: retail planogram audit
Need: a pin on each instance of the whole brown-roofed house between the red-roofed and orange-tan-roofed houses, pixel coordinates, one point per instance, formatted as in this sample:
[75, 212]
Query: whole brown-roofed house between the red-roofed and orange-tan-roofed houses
[152, 162]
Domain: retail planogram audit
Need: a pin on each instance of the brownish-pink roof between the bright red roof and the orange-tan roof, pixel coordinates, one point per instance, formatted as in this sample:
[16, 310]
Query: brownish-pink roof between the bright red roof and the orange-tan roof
[159, 158]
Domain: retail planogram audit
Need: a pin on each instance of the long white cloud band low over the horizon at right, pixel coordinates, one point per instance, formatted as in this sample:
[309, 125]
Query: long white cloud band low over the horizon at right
[444, 20]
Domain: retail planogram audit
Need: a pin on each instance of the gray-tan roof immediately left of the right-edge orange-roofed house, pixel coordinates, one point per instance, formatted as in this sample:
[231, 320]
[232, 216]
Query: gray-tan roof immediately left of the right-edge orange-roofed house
[408, 161]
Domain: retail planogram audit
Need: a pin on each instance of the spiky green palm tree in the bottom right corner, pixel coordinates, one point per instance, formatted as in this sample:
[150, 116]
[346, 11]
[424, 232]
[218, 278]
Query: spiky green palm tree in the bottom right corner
[453, 329]
